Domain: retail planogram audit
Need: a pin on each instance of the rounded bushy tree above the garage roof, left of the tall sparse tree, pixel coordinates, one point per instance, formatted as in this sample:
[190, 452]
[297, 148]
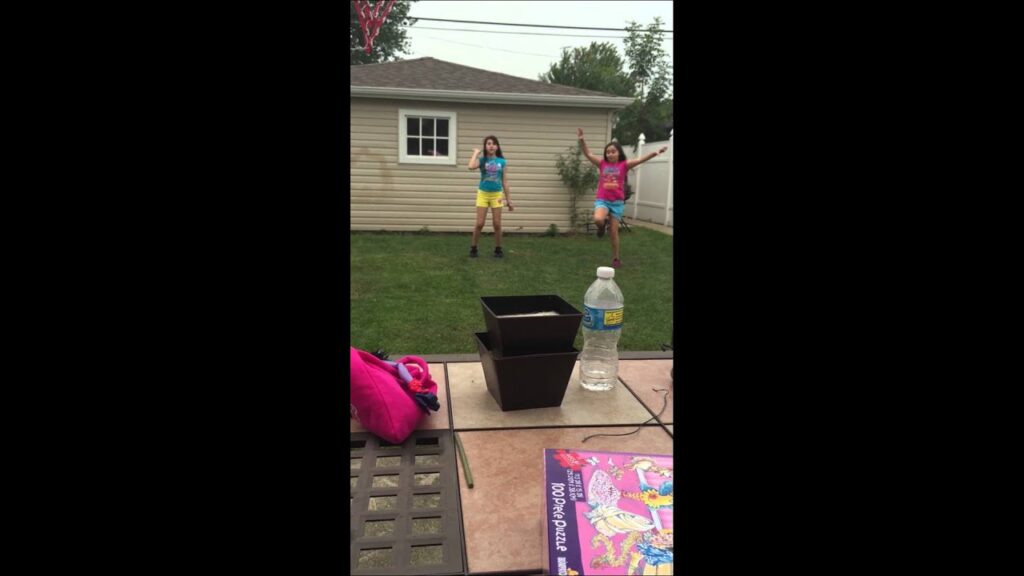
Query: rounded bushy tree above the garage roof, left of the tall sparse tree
[598, 67]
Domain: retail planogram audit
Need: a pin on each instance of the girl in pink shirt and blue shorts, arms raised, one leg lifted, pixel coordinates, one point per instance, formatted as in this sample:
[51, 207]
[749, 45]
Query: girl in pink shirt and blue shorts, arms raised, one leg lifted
[613, 171]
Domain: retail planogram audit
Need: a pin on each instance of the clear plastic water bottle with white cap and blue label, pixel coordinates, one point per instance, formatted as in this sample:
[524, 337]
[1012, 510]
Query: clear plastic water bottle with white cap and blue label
[603, 324]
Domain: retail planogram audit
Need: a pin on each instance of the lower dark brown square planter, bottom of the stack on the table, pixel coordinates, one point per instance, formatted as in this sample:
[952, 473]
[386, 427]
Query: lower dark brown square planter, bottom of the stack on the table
[520, 383]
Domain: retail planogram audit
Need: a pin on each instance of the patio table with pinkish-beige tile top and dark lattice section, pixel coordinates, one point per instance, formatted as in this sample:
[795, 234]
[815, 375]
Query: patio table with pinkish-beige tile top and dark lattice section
[496, 526]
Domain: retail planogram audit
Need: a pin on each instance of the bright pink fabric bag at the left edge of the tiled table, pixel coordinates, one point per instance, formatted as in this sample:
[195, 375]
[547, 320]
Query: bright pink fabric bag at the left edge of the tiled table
[391, 398]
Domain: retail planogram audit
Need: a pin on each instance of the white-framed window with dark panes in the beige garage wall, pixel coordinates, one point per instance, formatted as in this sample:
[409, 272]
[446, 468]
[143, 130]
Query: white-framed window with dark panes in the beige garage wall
[426, 137]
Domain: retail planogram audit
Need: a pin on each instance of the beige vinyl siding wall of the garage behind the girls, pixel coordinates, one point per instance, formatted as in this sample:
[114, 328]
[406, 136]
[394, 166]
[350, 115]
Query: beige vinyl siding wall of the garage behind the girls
[387, 195]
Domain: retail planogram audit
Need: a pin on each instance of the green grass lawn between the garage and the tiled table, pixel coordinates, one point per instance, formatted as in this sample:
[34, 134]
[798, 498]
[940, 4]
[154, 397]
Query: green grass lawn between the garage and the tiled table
[419, 294]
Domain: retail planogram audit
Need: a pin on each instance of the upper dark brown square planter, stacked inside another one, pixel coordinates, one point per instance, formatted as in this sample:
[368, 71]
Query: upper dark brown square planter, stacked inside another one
[513, 334]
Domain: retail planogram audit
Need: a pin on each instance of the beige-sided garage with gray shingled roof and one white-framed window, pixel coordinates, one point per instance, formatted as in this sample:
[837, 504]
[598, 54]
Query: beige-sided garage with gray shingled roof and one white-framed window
[415, 125]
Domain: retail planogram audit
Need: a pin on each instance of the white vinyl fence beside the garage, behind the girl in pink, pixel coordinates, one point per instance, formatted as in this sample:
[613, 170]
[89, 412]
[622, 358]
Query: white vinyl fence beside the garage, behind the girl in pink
[652, 183]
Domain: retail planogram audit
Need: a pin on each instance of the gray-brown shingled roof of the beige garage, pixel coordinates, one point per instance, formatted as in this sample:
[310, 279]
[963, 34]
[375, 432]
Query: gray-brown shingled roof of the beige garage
[433, 74]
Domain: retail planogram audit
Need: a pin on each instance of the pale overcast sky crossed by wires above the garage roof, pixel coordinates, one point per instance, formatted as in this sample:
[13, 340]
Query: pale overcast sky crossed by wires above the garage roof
[521, 55]
